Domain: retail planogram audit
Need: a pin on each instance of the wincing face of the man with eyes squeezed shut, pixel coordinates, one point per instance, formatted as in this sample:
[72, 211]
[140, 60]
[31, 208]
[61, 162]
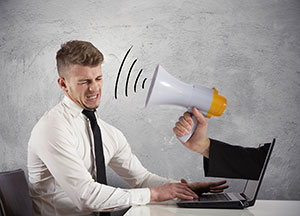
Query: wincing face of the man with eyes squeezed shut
[83, 85]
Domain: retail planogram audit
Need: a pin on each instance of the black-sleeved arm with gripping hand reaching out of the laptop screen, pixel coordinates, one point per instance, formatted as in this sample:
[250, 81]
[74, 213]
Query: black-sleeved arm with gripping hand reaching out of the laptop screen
[221, 159]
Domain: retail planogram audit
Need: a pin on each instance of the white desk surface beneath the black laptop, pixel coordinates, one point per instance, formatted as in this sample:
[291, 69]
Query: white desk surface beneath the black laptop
[261, 208]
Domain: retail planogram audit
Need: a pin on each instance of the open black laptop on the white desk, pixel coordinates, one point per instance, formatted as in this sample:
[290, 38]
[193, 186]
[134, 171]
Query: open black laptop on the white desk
[231, 200]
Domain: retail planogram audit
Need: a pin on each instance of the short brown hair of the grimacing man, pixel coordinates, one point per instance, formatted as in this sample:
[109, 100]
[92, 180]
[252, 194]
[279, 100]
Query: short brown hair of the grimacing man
[77, 52]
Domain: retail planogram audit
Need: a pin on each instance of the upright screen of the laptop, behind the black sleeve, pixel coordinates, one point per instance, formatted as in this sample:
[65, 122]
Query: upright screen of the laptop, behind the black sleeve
[252, 186]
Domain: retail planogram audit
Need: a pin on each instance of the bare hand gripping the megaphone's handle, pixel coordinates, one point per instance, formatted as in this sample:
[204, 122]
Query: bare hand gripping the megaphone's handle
[198, 142]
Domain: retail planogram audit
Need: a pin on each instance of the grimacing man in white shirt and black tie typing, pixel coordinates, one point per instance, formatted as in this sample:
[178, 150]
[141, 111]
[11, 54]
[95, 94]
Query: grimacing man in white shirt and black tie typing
[70, 146]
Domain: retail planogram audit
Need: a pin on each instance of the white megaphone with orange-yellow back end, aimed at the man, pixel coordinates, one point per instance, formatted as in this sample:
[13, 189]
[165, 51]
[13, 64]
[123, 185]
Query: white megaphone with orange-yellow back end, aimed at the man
[166, 89]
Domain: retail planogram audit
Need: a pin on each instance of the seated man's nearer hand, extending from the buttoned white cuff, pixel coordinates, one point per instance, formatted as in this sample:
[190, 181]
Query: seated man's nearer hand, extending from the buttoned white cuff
[171, 191]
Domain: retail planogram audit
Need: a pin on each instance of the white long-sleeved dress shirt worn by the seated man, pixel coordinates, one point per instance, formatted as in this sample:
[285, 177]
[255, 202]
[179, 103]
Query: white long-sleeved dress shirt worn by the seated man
[61, 165]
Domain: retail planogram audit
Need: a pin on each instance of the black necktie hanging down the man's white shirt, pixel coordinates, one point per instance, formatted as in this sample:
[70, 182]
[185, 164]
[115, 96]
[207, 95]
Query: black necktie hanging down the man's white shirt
[100, 163]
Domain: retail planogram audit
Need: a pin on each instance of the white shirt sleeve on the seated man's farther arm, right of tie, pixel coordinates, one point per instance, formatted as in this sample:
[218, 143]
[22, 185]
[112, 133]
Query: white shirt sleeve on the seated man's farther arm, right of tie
[129, 167]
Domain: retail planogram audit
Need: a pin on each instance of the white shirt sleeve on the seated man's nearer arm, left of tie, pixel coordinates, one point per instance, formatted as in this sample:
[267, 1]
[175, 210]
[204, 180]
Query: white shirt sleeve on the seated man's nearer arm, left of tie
[53, 142]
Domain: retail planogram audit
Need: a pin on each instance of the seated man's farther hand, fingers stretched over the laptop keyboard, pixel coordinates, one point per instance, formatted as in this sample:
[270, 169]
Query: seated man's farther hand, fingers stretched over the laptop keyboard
[205, 187]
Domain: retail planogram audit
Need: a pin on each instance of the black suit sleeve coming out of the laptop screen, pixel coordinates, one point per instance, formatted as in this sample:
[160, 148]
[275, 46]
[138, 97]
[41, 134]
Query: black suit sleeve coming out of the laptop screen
[230, 161]
